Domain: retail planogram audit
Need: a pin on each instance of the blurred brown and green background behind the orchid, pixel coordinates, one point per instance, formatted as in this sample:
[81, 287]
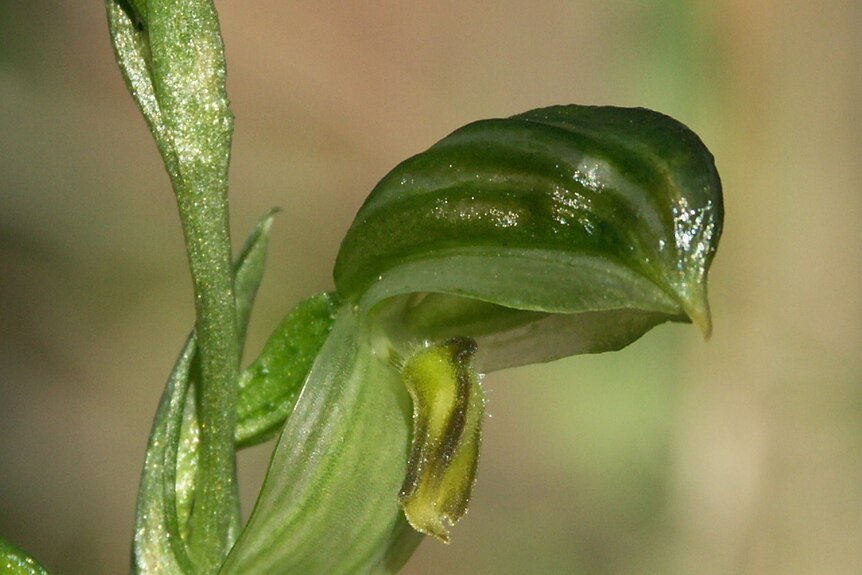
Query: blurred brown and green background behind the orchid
[742, 455]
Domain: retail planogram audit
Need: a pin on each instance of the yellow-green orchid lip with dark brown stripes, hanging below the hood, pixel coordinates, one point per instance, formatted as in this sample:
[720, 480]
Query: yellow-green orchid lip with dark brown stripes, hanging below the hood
[448, 405]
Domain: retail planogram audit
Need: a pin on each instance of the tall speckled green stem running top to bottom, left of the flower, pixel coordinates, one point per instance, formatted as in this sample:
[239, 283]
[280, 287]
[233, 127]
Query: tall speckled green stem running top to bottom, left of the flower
[172, 57]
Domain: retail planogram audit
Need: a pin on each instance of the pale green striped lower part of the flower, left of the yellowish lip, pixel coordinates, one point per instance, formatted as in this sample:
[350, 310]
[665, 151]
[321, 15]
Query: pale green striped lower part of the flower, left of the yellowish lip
[329, 503]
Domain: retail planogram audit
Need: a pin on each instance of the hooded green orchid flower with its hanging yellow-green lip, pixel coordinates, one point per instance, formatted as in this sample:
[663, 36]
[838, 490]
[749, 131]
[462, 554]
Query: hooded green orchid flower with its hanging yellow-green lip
[560, 231]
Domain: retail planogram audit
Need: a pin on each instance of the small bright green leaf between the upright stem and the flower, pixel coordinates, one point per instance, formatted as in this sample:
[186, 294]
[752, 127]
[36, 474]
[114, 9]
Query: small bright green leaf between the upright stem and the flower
[270, 386]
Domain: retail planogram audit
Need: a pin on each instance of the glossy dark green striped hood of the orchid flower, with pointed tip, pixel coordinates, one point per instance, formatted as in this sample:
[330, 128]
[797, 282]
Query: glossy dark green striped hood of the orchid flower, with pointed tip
[564, 230]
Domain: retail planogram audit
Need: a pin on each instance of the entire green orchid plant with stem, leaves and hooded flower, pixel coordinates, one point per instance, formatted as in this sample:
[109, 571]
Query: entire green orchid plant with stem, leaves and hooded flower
[557, 232]
